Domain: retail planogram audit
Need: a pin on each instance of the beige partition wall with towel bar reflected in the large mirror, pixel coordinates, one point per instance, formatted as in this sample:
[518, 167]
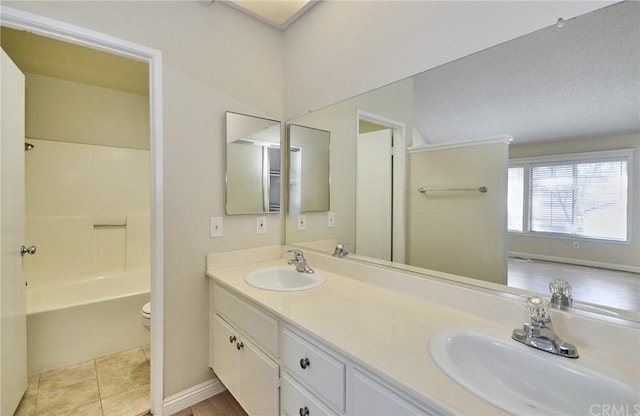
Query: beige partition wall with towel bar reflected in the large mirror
[449, 230]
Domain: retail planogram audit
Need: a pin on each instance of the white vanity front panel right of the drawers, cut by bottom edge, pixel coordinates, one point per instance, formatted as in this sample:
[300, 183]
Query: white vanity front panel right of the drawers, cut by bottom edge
[372, 399]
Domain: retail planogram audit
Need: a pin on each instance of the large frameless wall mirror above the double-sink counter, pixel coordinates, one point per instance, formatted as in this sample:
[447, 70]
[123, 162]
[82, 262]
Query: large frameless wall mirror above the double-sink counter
[514, 166]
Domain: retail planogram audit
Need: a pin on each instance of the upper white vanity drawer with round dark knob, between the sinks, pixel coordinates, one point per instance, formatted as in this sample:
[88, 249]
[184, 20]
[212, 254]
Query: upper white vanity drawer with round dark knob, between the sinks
[315, 368]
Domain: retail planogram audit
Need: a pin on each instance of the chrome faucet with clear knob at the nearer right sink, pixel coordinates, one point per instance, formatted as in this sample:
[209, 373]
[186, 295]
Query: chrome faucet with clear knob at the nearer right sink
[539, 332]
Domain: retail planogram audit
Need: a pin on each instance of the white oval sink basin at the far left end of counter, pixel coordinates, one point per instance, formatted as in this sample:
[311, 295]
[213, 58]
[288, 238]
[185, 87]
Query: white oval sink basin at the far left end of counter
[283, 279]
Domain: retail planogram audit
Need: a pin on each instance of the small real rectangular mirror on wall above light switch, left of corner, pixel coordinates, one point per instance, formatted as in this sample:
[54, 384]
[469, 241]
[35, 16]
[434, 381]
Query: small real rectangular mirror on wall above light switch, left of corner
[253, 164]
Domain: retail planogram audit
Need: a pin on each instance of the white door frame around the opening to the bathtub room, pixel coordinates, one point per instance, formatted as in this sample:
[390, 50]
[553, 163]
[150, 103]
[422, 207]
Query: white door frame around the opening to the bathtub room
[17, 19]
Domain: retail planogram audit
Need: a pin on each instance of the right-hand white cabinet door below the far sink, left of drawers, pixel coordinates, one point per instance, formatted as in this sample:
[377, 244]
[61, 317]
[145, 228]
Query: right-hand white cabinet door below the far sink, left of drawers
[258, 380]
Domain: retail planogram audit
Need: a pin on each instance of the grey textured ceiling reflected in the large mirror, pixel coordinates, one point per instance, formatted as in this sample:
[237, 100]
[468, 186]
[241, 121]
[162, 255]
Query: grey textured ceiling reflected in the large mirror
[581, 80]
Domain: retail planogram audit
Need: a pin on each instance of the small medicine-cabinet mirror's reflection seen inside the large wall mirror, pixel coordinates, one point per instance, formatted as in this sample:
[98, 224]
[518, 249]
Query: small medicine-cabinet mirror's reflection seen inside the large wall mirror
[308, 169]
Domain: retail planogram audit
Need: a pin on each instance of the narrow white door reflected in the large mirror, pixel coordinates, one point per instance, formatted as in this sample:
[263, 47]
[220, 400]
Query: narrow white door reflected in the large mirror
[374, 194]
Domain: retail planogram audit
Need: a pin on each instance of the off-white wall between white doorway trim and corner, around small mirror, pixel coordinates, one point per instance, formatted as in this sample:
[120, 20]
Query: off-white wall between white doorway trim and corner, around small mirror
[214, 59]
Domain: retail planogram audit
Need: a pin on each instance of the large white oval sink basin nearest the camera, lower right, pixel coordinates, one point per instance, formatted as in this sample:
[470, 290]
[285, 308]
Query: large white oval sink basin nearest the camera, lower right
[523, 380]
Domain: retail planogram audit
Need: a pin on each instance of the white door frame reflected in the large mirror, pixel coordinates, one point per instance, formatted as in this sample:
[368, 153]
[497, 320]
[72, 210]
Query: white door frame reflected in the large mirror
[399, 179]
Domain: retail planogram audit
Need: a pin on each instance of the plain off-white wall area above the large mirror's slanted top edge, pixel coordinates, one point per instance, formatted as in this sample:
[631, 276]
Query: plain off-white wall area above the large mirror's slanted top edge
[343, 48]
